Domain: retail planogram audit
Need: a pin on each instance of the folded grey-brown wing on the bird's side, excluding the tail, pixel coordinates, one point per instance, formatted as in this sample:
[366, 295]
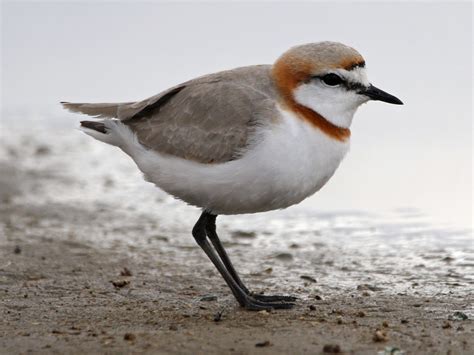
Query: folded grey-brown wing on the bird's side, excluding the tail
[207, 122]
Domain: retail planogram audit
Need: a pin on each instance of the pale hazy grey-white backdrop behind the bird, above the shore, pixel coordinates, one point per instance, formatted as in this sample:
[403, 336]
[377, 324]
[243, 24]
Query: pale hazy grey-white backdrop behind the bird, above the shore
[417, 155]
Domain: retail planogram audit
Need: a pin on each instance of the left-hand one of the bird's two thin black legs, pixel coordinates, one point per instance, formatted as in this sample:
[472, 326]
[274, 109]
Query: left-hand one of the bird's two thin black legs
[244, 299]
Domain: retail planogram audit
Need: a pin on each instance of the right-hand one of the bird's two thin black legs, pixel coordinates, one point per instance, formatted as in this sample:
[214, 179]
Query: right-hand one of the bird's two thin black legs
[214, 238]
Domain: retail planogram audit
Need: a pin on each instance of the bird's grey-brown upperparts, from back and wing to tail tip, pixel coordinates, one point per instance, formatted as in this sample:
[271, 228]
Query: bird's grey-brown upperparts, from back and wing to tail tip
[209, 119]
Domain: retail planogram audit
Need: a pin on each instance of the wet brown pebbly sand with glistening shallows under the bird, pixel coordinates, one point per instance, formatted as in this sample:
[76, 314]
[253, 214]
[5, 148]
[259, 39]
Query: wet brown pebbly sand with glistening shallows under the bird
[93, 260]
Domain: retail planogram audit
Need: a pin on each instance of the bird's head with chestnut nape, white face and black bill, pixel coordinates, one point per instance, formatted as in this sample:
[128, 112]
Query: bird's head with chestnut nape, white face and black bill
[327, 79]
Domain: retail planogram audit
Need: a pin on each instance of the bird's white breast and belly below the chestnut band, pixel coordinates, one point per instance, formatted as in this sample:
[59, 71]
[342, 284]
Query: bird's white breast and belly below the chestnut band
[289, 161]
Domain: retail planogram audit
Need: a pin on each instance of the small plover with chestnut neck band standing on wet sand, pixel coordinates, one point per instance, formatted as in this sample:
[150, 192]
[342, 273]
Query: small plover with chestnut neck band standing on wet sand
[246, 140]
